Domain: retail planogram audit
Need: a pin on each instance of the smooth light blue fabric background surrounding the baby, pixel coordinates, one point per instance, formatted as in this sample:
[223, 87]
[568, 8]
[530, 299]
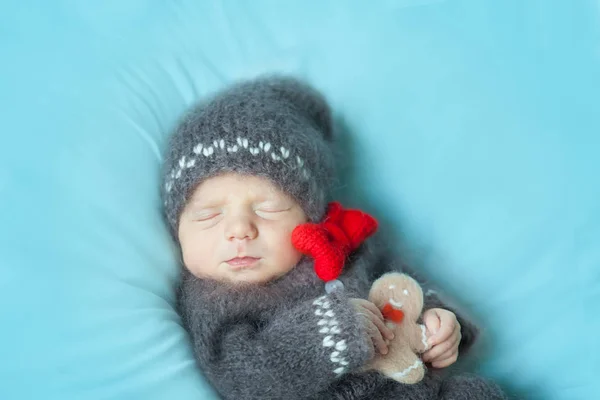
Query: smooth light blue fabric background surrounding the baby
[472, 129]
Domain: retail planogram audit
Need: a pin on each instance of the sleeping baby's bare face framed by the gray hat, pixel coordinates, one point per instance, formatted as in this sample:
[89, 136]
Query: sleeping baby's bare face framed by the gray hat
[238, 228]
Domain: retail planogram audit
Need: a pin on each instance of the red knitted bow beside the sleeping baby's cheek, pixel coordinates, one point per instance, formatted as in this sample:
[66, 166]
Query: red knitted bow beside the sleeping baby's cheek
[332, 240]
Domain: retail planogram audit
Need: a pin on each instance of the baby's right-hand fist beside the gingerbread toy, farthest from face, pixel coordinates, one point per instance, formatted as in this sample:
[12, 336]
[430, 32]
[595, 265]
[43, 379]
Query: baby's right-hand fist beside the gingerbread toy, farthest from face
[446, 337]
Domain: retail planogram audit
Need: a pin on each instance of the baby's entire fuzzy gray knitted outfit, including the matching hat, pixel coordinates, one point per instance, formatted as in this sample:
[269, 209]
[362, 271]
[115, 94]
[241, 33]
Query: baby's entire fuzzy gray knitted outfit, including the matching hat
[286, 339]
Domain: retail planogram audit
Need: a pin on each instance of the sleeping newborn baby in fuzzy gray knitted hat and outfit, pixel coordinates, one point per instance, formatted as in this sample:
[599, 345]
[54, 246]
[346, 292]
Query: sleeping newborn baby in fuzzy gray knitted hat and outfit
[244, 170]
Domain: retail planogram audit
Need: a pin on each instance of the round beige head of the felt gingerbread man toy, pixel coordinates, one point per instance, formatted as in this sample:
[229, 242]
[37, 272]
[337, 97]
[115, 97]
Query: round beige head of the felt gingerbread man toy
[402, 294]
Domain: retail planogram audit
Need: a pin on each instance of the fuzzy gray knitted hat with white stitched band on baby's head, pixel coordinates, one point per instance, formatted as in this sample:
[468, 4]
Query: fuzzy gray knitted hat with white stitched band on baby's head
[275, 127]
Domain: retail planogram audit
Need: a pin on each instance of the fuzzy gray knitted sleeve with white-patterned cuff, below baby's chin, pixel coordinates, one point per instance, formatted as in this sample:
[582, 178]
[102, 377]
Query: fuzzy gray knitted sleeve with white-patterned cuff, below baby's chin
[298, 351]
